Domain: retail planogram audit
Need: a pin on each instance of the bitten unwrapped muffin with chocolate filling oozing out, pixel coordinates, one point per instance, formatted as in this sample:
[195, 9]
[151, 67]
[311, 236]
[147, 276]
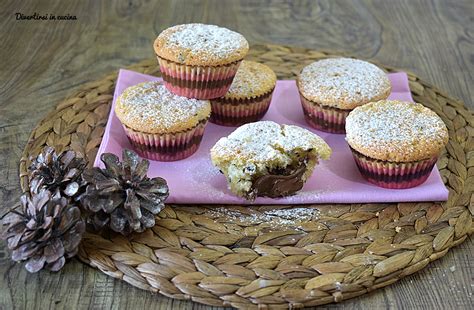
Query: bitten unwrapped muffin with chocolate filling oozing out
[268, 159]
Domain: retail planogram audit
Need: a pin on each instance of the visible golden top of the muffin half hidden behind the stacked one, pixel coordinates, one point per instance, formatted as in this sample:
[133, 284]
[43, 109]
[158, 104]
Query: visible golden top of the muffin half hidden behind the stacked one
[253, 79]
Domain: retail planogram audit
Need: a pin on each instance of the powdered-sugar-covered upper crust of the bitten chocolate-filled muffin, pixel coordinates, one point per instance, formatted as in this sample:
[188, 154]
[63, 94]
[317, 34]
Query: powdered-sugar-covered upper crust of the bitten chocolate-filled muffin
[264, 141]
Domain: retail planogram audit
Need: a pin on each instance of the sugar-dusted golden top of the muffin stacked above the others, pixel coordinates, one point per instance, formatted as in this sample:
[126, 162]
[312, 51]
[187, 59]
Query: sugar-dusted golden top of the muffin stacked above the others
[201, 45]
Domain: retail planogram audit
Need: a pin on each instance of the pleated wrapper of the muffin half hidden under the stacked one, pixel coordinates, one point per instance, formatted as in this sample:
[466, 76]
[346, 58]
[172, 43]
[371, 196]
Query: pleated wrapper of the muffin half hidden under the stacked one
[236, 112]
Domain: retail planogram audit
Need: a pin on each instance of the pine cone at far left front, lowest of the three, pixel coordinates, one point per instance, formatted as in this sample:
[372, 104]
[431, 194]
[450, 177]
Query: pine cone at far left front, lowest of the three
[45, 232]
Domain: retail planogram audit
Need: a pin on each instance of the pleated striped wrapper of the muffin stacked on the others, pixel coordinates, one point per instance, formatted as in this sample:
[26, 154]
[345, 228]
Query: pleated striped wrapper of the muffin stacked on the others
[200, 82]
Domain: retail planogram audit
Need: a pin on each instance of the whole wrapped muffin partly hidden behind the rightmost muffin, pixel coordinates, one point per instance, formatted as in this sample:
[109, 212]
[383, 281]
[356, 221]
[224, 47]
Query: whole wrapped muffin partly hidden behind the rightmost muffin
[331, 88]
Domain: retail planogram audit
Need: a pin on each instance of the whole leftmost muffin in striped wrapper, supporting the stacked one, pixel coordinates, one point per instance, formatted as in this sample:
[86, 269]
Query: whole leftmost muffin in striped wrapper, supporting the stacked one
[159, 124]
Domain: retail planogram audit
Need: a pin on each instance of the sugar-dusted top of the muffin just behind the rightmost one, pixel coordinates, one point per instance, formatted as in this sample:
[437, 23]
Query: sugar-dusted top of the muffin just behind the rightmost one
[343, 83]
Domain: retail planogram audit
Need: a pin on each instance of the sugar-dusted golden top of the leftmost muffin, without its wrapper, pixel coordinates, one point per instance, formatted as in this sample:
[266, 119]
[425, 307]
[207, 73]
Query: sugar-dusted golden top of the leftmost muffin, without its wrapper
[149, 107]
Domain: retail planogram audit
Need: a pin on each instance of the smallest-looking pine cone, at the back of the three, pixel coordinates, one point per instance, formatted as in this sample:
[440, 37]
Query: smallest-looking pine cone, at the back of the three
[57, 172]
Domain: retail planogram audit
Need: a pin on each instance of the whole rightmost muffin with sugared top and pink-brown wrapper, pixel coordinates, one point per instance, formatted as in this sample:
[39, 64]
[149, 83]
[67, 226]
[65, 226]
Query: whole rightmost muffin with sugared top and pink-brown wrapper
[395, 143]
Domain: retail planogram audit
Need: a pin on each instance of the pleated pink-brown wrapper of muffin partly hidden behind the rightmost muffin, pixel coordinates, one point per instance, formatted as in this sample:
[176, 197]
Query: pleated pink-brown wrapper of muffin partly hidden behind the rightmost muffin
[324, 118]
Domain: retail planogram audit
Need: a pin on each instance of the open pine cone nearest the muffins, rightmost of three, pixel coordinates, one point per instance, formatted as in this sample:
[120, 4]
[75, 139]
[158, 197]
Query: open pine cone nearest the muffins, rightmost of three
[121, 195]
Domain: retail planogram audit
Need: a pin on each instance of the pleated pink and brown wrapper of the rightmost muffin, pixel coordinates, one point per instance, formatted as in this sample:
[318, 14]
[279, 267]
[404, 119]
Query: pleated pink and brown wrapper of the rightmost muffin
[394, 175]
